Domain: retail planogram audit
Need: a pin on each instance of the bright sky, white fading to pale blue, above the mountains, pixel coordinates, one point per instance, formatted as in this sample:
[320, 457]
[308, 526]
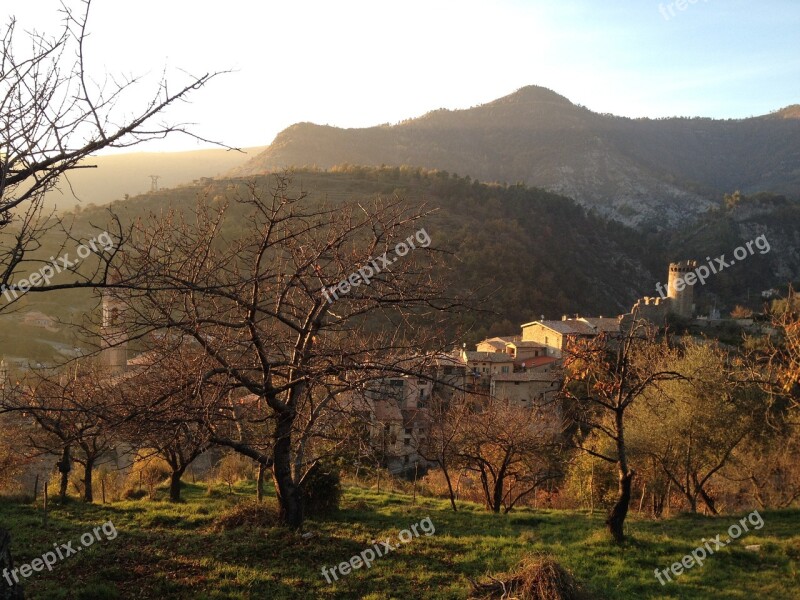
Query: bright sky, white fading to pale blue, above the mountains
[354, 64]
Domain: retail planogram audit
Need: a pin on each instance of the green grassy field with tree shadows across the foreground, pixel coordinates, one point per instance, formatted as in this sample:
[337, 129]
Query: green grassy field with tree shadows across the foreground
[179, 551]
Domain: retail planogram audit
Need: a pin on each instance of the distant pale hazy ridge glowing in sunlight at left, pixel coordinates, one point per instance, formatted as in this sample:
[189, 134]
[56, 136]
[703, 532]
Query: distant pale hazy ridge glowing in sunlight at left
[116, 175]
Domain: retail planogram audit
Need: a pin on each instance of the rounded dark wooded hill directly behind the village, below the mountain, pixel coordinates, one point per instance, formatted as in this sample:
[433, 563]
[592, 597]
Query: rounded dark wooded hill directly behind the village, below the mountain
[528, 251]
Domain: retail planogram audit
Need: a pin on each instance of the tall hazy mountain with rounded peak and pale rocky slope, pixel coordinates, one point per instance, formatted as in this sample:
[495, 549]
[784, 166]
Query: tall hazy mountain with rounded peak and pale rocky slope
[643, 172]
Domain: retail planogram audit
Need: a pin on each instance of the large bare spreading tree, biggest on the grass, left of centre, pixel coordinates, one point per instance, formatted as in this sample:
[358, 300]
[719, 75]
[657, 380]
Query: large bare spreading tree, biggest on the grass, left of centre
[272, 294]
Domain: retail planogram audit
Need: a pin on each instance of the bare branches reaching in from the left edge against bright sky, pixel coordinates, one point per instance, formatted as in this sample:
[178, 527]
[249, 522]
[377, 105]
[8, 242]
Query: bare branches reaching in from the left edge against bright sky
[54, 115]
